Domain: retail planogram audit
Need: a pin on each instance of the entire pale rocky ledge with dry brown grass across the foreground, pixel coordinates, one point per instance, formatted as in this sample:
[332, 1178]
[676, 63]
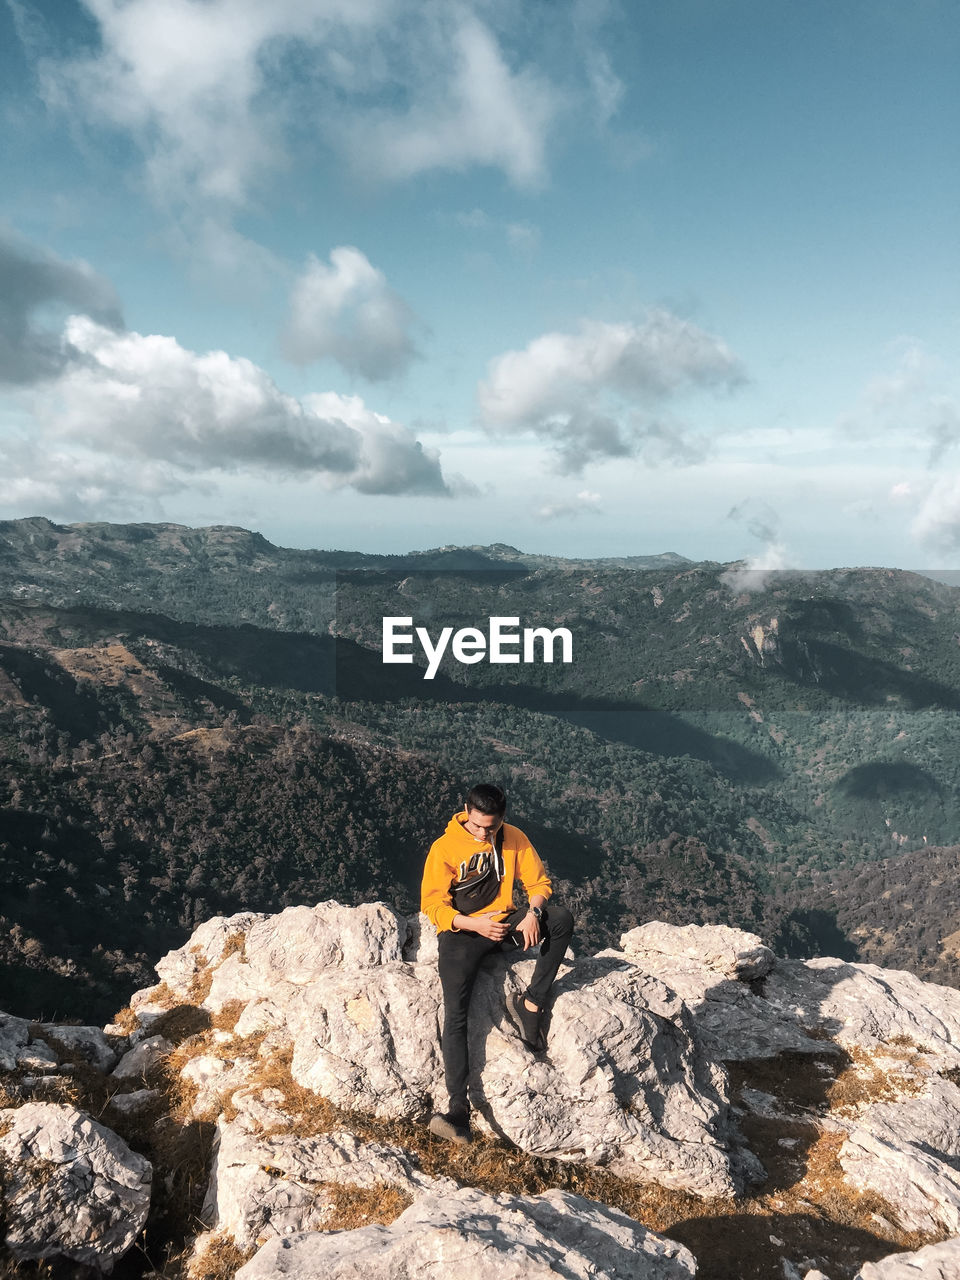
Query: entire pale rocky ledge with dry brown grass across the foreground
[689, 1075]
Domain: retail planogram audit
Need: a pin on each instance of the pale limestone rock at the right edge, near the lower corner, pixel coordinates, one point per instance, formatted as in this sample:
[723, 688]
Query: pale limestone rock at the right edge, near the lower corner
[909, 1154]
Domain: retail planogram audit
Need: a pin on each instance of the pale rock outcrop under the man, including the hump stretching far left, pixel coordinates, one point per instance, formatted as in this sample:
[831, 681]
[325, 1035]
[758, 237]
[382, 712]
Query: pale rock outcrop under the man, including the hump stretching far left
[627, 1082]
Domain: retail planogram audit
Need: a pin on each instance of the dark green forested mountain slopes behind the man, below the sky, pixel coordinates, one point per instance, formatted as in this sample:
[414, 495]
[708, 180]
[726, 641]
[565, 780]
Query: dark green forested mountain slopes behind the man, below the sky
[212, 715]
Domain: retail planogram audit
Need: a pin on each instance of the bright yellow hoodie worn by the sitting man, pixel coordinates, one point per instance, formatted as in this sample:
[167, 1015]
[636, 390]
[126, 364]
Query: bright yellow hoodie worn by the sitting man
[455, 847]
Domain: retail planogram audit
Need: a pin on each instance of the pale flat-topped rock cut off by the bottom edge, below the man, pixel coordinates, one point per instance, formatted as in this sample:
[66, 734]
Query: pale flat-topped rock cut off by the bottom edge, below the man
[487, 1238]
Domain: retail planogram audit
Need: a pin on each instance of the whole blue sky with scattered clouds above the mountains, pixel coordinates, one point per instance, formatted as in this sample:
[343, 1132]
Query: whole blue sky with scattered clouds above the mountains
[588, 278]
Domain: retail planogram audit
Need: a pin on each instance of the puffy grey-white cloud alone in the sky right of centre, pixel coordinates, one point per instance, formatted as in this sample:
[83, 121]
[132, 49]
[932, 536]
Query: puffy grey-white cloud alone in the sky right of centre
[602, 392]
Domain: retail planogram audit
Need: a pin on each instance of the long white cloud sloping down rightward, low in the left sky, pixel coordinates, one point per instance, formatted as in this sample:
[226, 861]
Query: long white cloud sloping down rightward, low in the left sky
[149, 400]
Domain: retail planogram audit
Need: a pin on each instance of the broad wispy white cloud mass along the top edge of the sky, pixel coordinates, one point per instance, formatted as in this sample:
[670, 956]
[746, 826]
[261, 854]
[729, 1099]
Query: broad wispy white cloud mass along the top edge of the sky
[214, 92]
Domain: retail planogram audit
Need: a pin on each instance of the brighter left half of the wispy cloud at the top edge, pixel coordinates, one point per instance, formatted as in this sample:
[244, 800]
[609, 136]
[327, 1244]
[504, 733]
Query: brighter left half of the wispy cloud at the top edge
[189, 80]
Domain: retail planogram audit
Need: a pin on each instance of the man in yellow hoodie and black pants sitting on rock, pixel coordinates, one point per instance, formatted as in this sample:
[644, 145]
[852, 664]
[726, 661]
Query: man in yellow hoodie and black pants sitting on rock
[468, 893]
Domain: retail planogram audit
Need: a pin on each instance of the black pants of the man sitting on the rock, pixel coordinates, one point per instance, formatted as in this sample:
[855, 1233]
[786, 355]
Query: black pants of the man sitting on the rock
[460, 959]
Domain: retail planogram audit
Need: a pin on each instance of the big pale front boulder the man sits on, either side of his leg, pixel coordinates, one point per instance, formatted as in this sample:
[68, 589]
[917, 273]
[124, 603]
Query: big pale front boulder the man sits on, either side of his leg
[625, 1082]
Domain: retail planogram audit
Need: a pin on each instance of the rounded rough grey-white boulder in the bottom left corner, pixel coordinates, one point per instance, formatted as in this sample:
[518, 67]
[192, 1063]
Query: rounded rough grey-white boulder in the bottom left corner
[72, 1188]
